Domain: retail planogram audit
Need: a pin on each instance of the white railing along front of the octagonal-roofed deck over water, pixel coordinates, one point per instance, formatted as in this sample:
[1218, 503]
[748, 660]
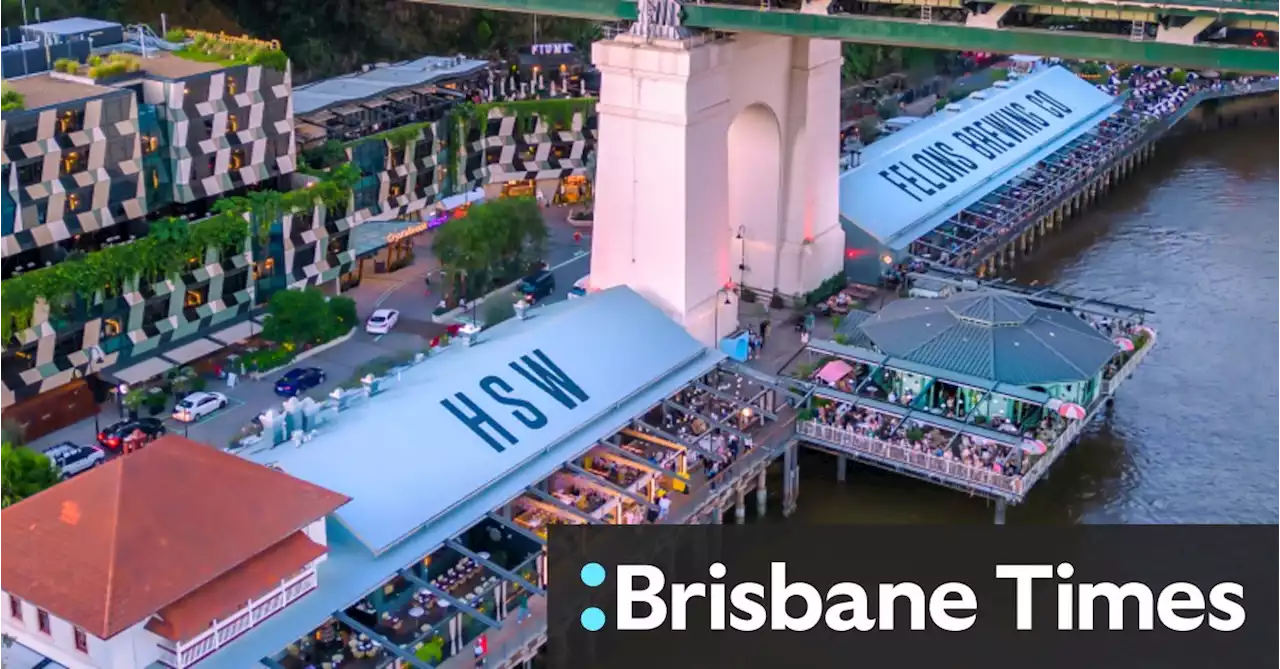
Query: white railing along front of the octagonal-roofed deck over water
[926, 464]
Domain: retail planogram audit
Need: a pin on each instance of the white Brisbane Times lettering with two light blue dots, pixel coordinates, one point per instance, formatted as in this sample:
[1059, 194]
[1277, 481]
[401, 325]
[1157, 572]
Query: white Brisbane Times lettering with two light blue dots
[647, 602]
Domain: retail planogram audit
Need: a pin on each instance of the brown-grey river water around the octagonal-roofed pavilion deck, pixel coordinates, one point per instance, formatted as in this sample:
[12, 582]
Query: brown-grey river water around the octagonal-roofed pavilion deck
[1195, 437]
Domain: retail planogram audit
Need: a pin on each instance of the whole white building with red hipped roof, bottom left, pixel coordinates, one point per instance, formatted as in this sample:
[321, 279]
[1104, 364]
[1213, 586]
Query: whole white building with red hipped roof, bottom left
[161, 557]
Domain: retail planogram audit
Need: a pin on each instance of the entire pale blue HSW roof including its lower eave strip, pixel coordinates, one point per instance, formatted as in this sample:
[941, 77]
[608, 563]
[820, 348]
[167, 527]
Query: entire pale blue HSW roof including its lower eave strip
[620, 351]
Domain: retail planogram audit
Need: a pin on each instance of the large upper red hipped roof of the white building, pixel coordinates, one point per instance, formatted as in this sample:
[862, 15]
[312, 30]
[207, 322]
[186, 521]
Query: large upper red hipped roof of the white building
[111, 548]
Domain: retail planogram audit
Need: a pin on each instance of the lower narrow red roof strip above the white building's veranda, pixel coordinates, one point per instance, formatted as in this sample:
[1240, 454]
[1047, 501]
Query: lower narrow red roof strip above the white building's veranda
[189, 617]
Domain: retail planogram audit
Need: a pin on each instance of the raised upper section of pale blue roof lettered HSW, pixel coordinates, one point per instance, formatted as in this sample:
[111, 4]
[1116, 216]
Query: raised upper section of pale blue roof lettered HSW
[573, 363]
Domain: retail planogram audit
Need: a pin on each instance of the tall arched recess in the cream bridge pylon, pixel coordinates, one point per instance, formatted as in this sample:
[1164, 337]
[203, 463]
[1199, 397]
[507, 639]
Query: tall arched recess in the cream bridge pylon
[756, 191]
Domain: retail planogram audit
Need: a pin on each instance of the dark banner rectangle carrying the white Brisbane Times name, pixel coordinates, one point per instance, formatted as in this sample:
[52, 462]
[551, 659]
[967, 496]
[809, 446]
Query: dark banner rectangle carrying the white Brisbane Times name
[1044, 598]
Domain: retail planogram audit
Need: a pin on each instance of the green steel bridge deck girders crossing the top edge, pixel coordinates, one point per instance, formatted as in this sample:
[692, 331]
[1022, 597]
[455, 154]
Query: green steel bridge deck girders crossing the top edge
[1071, 44]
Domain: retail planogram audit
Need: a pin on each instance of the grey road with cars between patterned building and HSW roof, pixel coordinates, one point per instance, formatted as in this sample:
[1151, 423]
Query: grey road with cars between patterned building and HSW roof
[403, 291]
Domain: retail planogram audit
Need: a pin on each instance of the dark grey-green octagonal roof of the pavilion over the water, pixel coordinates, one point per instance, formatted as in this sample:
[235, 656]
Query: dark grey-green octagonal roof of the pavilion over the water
[988, 336]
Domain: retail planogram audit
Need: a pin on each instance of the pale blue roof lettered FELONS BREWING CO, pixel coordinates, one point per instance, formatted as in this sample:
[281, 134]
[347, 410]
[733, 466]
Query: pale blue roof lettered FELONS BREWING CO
[921, 185]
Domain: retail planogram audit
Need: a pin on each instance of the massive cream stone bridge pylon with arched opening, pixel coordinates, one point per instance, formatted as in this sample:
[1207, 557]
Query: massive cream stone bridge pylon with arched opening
[717, 168]
